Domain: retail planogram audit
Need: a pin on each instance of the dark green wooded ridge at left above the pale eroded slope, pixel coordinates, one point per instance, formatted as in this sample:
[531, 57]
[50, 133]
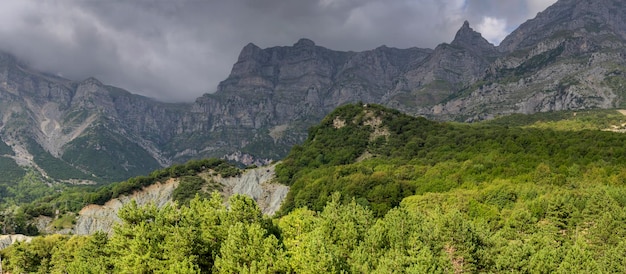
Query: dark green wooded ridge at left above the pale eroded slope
[18, 213]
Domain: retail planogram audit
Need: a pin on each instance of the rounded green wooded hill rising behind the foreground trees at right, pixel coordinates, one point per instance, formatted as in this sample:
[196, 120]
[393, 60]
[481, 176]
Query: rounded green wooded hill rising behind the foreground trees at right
[379, 155]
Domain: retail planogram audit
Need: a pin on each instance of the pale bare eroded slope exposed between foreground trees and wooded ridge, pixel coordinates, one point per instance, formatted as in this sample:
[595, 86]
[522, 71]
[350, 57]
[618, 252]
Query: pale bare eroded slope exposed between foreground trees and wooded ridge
[255, 183]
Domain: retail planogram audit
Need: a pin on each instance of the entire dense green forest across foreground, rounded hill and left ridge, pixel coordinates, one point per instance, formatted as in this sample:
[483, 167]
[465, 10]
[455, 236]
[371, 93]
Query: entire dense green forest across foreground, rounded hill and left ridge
[377, 191]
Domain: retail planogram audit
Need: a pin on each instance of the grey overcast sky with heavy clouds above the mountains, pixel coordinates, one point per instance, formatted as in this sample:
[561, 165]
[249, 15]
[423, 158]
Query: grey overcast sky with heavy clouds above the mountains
[177, 50]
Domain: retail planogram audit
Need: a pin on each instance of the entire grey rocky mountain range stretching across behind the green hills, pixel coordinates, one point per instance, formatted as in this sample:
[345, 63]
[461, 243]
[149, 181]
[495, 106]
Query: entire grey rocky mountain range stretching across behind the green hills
[569, 57]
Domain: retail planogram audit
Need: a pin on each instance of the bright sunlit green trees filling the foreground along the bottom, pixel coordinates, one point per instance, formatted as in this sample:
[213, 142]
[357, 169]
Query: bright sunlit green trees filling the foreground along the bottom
[497, 228]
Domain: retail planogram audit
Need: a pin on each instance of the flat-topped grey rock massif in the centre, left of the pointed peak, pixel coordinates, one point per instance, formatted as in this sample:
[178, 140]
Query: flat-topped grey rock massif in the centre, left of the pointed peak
[286, 90]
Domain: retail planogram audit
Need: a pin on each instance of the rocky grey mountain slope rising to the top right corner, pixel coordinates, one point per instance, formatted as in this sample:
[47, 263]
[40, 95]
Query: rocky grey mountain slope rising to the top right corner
[570, 56]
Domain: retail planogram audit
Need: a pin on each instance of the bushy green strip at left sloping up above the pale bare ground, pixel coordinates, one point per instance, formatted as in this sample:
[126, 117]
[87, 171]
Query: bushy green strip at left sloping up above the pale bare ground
[36, 198]
